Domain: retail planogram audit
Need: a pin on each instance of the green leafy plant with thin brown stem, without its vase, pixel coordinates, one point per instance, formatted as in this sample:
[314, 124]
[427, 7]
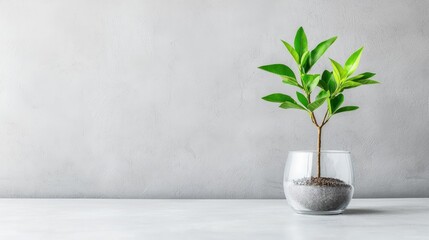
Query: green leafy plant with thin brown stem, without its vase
[332, 84]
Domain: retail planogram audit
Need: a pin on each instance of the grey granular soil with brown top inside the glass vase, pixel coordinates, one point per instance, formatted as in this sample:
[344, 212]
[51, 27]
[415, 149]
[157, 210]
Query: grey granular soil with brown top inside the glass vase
[320, 194]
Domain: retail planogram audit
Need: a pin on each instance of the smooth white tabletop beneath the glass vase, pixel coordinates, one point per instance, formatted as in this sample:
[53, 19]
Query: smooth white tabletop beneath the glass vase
[208, 219]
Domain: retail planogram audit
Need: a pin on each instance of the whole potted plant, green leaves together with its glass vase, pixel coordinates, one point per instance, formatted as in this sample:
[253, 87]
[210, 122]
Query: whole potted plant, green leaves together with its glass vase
[318, 182]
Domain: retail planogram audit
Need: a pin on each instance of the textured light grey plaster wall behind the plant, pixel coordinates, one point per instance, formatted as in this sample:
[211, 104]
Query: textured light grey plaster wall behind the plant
[161, 99]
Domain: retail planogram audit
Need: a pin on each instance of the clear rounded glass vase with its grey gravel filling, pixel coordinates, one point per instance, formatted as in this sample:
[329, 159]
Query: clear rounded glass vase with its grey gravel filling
[311, 188]
